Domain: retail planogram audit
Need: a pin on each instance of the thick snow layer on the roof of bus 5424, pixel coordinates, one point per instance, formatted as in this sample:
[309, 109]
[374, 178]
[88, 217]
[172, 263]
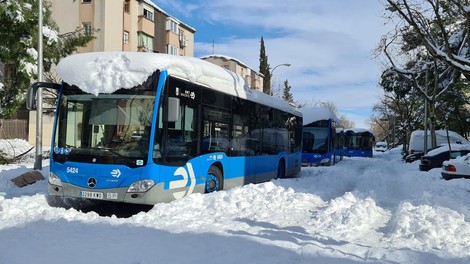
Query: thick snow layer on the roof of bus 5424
[106, 72]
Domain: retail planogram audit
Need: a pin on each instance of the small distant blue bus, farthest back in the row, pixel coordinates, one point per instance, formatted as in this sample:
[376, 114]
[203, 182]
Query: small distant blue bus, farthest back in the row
[358, 142]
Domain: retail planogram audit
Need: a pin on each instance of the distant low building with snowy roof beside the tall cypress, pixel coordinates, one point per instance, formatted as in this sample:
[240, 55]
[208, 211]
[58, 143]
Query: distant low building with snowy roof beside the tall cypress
[252, 77]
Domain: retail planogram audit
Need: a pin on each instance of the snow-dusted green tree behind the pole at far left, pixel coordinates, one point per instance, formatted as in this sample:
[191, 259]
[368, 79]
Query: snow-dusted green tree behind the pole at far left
[18, 48]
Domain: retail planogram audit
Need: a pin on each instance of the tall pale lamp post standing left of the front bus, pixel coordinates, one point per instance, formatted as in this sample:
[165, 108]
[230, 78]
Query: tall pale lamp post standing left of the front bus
[38, 156]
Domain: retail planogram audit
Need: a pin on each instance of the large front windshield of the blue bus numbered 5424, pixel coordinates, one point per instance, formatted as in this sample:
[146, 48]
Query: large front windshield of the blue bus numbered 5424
[112, 128]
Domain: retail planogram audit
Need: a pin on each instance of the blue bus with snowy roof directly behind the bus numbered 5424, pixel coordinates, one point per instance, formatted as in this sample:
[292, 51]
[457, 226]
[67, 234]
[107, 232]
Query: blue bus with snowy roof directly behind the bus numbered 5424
[319, 137]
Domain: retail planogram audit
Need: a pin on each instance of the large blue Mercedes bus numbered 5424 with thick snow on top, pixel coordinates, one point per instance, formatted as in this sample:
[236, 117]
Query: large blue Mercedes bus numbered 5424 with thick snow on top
[146, 128]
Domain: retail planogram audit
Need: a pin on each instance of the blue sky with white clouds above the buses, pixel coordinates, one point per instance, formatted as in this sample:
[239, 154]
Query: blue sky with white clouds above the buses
[329, 44]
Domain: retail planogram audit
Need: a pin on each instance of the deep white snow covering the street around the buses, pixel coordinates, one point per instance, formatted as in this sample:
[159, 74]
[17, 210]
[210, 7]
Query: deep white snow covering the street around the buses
[377, 210]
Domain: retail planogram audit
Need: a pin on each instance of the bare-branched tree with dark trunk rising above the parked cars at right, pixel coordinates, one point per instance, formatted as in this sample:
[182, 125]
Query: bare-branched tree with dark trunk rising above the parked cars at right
[428, 48]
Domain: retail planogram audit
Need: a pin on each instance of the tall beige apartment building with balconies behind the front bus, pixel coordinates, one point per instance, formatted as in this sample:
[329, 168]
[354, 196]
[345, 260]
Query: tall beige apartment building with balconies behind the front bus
[126, 25]
